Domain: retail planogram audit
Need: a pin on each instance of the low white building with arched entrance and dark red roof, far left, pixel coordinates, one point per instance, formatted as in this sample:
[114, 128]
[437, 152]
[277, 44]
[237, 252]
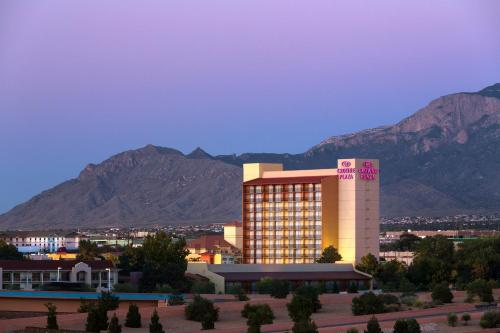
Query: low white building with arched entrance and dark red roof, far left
[33, 274]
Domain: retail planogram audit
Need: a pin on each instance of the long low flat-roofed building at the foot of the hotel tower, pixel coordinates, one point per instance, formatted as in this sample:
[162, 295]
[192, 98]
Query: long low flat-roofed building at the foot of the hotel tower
[247, 275]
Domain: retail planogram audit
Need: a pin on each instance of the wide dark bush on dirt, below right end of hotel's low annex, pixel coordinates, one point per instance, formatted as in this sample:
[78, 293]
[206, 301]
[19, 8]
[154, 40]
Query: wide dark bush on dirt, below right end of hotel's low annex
[370, 303]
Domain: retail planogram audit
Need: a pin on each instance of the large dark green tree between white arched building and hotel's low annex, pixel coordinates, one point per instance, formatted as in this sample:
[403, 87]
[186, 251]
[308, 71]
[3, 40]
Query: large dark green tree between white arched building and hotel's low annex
[164, 262]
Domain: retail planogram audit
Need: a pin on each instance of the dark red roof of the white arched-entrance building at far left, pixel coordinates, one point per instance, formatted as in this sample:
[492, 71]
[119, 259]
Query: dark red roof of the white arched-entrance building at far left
[51, 265]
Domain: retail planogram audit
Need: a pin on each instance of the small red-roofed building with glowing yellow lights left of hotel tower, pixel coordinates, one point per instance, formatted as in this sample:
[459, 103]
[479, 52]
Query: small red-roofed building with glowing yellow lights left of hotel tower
[212, 249]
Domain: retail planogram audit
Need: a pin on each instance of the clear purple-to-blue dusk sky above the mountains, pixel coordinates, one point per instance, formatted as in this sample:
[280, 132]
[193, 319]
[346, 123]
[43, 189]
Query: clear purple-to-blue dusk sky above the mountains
[80, 81]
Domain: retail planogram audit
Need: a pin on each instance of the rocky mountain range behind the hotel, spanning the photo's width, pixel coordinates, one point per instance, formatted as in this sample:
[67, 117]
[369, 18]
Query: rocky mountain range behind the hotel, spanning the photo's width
[442, 160]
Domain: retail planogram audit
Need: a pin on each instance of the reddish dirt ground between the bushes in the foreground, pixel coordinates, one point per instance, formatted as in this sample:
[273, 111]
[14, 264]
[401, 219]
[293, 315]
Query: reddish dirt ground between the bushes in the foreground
[334, 317]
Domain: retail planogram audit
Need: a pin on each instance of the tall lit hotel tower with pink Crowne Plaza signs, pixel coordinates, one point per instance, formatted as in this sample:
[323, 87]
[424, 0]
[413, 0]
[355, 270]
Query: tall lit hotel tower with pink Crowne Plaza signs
[291, 216]
